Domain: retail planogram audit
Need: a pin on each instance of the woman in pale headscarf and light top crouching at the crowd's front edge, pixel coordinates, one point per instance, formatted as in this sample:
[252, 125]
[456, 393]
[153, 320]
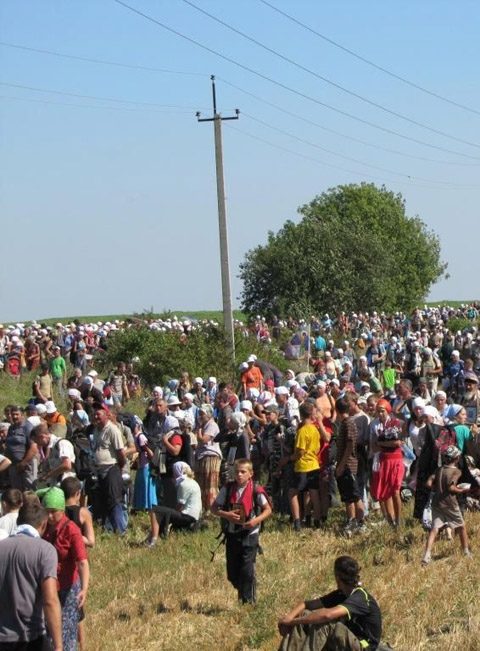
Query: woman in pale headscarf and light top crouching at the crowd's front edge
[189, 503]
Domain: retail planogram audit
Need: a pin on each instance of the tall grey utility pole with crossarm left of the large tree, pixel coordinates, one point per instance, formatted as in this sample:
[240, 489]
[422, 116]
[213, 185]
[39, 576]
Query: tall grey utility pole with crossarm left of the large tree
[222, 219]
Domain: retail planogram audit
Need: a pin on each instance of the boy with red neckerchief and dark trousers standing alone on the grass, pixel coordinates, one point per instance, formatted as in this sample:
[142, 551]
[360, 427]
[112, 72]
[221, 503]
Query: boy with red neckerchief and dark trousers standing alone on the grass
[238, 503]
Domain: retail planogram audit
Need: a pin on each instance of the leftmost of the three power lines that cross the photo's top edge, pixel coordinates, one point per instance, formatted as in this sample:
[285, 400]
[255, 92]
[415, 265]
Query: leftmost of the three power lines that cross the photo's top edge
[285, 87]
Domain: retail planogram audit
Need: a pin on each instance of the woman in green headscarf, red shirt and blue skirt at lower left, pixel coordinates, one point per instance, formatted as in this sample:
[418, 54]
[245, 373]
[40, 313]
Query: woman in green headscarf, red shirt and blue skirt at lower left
[73, 572]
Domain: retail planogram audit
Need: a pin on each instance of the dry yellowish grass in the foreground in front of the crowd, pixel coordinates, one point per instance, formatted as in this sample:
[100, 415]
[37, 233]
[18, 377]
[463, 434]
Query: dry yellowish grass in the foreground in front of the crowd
[174, 598]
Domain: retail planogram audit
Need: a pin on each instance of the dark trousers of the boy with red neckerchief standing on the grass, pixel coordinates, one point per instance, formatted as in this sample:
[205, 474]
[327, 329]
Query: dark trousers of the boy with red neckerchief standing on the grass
[241, 553]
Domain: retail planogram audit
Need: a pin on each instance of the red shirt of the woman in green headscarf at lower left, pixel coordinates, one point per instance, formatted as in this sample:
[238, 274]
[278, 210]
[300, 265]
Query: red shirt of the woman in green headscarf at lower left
[67, 539]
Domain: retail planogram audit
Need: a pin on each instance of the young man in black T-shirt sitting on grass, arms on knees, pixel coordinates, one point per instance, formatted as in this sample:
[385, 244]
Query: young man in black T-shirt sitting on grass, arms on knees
[347, 618]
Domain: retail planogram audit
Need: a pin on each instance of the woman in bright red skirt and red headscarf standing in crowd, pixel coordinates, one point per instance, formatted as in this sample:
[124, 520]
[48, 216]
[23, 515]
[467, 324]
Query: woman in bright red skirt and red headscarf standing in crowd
[388, 469]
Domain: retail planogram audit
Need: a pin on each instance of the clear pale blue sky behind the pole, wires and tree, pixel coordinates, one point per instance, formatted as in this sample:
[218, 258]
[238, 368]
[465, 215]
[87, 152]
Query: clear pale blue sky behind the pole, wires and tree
[109, 207]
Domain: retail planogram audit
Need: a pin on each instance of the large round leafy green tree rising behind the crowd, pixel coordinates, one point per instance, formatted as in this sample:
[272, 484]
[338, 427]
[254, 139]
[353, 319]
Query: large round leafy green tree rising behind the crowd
[354, 249]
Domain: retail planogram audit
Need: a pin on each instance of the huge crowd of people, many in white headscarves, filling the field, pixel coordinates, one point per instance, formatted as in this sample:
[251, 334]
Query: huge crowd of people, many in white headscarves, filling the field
[380, 409]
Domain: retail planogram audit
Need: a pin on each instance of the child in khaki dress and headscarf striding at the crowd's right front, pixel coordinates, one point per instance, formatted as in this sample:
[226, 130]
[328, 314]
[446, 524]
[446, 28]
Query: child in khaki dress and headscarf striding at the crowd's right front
[445, 509]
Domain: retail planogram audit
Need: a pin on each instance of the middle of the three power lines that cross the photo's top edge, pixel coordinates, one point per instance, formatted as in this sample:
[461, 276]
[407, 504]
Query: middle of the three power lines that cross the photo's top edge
[329, 81]
